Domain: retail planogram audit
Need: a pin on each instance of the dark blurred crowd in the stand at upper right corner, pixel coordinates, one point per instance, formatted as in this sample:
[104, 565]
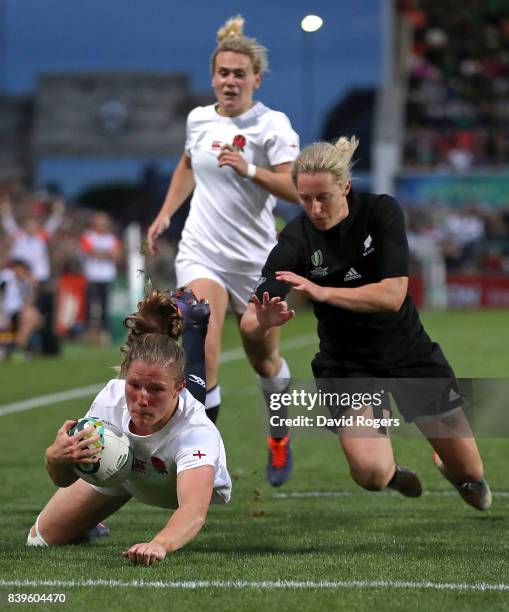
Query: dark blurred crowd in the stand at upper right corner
[457, 113]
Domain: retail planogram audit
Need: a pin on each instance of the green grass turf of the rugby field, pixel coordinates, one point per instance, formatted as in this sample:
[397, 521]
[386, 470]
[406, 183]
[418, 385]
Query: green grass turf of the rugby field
[352, 536]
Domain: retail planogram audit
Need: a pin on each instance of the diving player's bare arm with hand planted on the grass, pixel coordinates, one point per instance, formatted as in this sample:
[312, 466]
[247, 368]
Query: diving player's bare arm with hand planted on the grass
[194, 491]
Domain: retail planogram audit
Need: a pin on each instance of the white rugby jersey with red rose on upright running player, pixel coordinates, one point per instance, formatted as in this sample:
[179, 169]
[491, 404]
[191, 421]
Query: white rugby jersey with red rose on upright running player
[231, 224]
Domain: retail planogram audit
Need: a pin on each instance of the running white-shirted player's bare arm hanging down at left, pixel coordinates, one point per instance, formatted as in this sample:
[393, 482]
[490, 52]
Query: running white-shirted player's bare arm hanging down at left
[181, 186]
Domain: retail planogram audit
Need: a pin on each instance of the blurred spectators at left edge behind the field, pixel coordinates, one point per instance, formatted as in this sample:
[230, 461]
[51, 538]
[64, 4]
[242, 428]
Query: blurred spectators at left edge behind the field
[57, 267]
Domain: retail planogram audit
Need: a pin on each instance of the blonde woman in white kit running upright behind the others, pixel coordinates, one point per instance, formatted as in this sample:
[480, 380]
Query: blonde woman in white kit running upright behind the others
[237, 158]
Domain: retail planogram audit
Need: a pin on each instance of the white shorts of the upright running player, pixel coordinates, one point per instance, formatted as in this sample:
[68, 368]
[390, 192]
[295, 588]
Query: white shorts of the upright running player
[239, 286]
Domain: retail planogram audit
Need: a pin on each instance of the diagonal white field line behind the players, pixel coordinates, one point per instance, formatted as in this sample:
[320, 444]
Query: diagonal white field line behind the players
[63, 396]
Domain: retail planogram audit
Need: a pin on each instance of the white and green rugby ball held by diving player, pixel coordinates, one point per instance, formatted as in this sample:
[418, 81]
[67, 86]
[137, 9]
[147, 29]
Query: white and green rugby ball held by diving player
[116, 458]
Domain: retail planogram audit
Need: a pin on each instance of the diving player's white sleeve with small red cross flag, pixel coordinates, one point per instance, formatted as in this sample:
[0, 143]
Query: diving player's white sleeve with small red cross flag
[198, 447]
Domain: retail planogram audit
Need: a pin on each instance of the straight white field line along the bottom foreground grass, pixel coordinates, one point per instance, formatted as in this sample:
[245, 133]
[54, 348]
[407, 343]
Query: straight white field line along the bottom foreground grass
[263, 584]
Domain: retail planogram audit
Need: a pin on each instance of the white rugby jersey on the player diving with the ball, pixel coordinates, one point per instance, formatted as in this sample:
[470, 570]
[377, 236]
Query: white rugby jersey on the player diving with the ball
[187, 441]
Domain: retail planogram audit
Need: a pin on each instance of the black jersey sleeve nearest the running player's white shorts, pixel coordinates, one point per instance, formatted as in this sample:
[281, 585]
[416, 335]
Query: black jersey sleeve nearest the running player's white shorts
[283, 257]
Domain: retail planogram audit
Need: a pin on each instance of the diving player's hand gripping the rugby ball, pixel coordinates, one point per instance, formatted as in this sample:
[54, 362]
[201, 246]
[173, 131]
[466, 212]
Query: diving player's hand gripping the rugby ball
[67, 450]
